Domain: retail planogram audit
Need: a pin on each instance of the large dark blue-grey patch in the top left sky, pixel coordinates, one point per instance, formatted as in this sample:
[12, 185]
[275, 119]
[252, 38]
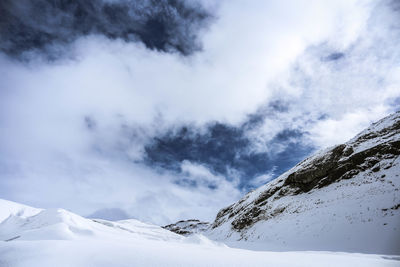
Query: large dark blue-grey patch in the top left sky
[44, 25]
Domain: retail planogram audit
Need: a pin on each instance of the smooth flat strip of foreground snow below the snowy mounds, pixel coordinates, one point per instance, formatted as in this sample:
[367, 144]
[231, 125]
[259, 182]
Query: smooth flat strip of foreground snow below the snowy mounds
[152, 253]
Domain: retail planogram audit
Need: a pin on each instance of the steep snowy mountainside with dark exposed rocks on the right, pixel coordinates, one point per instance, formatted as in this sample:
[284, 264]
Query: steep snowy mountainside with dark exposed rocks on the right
[344, 198]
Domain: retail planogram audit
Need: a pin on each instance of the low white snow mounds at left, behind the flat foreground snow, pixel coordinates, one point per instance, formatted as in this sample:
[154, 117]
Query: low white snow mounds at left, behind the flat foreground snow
[59, 224]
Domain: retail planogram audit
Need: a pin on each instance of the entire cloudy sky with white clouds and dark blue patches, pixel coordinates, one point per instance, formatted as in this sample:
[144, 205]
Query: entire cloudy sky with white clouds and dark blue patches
[170, 110]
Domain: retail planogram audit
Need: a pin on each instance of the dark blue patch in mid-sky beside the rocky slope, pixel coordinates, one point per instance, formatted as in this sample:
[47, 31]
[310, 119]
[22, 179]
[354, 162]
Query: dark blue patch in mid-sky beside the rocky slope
[223, 148]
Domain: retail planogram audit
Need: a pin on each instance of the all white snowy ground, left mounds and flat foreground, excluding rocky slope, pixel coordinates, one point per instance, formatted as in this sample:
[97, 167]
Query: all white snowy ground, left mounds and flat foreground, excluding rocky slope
[57, 237]
